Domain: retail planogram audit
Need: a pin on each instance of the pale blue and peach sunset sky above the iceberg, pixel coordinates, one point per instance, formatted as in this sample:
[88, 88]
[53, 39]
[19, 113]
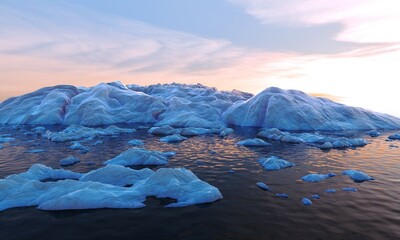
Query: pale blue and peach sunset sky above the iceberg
[346, 50]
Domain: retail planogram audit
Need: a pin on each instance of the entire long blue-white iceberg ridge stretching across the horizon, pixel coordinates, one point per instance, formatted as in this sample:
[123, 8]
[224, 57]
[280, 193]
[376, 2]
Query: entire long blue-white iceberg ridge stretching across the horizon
[187, 106]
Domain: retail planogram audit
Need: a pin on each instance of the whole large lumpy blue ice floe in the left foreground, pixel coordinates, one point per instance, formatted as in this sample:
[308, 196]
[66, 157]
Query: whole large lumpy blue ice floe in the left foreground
[101, 188]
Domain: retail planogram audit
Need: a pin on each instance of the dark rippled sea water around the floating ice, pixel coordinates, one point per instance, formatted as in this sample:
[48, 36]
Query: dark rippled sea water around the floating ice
[246, 212]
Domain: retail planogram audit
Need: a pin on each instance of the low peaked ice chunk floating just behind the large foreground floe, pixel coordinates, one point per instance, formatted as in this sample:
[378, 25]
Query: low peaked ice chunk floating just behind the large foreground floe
[139, 156]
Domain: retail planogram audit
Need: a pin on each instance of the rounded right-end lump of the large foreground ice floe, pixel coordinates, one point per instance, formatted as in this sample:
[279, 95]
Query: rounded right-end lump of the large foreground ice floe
[180, 184]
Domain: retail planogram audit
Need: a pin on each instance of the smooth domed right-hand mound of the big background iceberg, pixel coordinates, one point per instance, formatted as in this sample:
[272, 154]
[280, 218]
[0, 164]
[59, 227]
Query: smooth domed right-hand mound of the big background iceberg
[295, 110]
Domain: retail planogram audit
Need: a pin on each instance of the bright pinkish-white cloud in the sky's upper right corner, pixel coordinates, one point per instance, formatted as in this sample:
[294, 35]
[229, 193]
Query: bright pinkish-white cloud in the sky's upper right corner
[363, 21]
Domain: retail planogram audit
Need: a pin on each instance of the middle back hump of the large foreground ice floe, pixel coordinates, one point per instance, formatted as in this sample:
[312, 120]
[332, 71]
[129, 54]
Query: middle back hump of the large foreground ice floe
[117, 175]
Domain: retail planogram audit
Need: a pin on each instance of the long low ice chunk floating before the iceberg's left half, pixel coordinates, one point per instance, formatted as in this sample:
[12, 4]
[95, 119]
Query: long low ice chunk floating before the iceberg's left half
[75, 132]
